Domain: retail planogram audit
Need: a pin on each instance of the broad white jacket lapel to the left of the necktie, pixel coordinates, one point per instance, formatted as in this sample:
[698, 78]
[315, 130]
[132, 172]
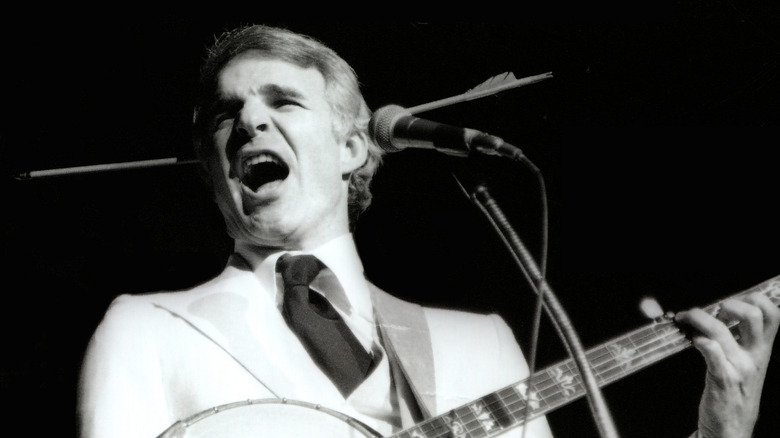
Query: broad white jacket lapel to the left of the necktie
[259, 340]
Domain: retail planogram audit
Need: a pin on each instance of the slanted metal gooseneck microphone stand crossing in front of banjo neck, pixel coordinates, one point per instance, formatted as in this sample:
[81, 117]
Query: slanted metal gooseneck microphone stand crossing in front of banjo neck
[478, 193]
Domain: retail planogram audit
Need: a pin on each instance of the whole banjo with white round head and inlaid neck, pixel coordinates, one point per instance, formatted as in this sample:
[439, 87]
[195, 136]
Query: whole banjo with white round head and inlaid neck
[487, 416]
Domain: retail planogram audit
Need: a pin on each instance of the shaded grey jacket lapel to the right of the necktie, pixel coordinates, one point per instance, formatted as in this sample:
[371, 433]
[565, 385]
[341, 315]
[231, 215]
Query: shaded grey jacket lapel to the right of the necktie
[407, 340]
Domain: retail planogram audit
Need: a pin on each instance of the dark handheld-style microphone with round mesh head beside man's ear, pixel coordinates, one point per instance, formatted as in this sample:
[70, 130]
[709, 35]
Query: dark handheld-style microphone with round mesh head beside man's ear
[394, 129]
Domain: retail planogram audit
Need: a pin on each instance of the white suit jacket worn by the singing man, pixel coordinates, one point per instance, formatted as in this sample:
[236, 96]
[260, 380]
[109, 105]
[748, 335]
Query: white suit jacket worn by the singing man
[159, 358]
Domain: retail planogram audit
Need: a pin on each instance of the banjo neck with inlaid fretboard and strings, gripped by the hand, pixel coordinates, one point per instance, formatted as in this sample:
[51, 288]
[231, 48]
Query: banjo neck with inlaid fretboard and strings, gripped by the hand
[561, 383]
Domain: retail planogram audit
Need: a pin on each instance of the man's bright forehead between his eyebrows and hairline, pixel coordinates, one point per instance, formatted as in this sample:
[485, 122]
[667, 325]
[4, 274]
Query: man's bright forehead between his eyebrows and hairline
[251, 73]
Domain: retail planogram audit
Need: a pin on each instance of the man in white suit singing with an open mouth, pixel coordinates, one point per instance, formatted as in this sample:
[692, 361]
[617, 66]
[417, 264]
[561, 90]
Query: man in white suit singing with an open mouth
[281, 129]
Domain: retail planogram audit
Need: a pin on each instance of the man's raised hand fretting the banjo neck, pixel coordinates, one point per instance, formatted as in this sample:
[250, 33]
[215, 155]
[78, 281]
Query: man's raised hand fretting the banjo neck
[736, 364]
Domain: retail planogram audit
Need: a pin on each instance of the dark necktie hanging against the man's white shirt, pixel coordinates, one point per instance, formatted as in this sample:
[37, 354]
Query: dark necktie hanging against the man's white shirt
[320, 328]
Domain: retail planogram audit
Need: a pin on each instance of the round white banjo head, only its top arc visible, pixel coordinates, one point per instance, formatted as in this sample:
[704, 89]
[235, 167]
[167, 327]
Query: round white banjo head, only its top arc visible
[273, 418]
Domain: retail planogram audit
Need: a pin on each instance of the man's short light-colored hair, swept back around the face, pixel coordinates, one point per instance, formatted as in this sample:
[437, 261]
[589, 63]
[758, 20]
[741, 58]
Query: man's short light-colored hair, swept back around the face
[342, 91]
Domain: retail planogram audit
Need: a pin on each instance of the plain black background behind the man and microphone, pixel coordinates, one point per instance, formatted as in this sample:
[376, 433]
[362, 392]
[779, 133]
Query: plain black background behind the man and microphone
[657, 140]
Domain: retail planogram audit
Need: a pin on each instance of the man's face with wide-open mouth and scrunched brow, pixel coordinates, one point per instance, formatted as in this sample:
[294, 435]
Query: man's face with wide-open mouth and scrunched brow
[277, 167]
